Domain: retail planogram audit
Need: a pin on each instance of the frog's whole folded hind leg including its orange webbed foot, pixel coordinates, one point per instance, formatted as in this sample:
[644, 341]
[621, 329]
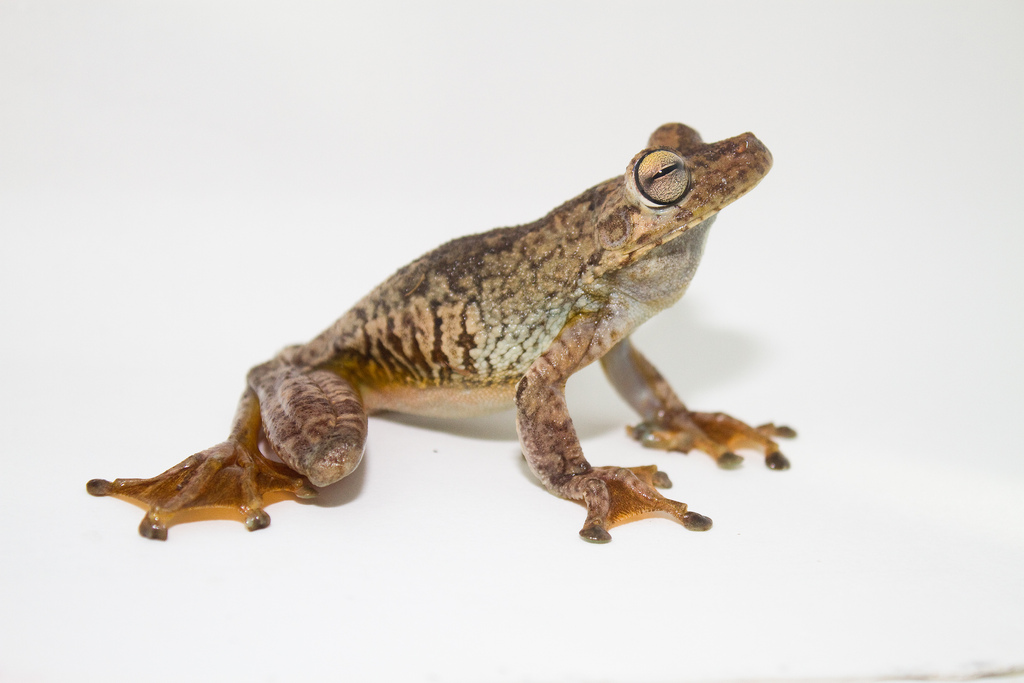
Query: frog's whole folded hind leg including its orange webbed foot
[313, 419]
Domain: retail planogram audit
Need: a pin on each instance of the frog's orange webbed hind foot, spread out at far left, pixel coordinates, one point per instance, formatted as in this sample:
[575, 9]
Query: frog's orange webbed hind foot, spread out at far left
[228, 476]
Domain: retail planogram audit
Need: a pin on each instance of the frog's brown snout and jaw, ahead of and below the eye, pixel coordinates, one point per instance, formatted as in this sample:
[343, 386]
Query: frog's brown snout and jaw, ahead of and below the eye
[720, 175]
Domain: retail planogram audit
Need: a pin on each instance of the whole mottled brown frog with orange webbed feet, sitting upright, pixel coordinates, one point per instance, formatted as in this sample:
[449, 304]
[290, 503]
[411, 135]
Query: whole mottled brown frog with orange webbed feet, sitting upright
[495, 321]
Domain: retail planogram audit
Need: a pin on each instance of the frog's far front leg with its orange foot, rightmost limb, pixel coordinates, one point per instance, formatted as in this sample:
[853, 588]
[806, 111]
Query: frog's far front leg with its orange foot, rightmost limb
[669, 425]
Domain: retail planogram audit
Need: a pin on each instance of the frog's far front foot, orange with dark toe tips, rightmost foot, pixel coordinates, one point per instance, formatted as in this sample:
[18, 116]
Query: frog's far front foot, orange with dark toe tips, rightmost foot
[717, 435]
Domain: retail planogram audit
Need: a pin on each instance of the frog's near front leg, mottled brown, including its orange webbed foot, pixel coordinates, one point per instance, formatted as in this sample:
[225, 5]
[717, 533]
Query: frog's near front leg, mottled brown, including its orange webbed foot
[612, 495]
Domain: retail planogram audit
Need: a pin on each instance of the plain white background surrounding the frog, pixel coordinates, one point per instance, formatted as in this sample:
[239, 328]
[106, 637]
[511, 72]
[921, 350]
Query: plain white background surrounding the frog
[186, 188]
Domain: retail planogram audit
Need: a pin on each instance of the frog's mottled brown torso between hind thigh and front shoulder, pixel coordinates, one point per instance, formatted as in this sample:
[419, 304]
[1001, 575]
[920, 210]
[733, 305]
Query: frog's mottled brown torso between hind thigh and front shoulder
[467, 318]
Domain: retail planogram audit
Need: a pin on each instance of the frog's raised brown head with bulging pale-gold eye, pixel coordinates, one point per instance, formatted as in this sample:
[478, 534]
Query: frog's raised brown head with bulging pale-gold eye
[674, 185]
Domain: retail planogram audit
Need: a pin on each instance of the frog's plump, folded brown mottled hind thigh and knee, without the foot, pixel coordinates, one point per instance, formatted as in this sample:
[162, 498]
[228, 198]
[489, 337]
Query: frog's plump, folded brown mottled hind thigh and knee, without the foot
[314, 419]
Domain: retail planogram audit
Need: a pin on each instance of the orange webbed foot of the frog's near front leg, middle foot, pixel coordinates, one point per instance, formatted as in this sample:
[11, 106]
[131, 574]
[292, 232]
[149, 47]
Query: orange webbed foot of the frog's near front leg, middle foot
[620, 495]
